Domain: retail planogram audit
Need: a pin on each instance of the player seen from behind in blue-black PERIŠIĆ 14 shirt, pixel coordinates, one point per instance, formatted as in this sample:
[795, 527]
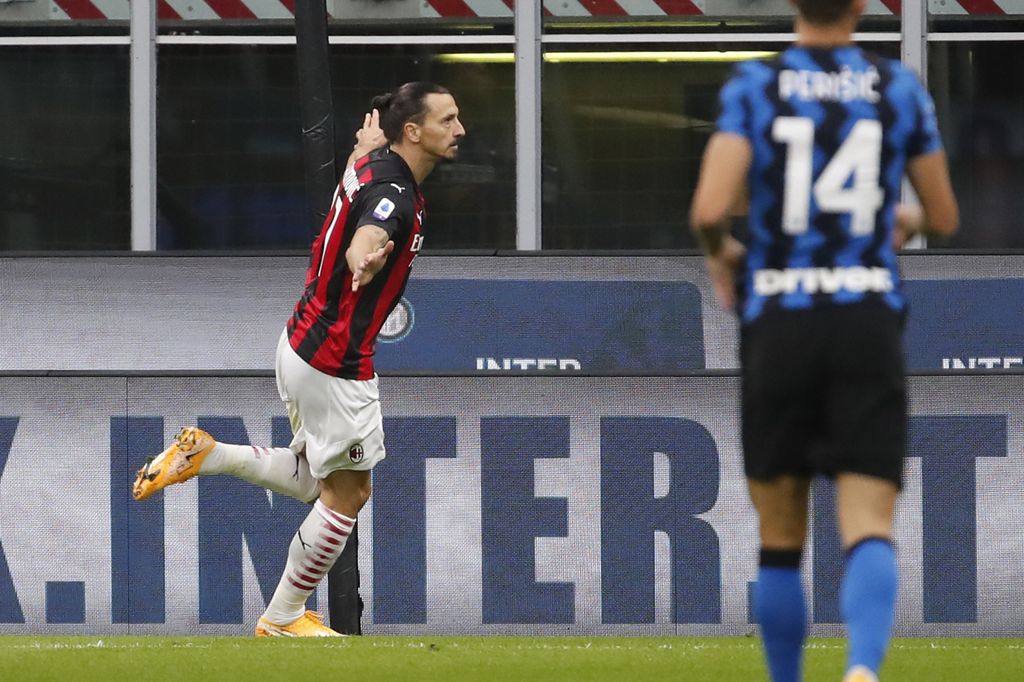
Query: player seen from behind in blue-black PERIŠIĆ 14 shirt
[821, 139]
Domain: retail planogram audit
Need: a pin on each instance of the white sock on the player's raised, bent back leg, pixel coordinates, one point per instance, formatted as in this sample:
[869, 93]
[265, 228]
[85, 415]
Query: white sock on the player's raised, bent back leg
[278, 470]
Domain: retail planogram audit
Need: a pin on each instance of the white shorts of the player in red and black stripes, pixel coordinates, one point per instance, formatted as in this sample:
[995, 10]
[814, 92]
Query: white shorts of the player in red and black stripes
[337, 421]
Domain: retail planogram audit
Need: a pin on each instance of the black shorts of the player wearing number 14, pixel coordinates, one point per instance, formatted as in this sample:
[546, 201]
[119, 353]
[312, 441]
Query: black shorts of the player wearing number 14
[824, 392]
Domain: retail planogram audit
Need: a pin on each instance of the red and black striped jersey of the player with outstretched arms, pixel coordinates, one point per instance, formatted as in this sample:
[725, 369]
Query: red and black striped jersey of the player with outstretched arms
[333, 329]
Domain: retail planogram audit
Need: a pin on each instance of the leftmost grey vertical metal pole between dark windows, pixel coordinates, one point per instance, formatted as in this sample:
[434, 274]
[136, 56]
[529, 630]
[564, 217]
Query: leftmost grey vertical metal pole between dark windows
[144, 126]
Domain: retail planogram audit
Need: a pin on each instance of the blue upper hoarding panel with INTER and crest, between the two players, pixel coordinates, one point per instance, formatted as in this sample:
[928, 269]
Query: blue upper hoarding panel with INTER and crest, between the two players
[462, 325]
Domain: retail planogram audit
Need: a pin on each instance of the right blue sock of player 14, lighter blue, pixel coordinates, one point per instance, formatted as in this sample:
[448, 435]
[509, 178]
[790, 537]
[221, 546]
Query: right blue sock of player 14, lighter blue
[869, 602]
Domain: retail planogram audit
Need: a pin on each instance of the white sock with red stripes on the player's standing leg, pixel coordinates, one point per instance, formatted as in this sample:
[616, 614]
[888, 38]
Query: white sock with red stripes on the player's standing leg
[315, 548]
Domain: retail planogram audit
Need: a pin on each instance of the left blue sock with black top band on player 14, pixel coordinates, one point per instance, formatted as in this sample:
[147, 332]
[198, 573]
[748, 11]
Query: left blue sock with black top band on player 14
[779, 605]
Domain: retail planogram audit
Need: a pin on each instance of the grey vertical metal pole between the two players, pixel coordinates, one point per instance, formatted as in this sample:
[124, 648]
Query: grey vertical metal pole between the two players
[528, 126]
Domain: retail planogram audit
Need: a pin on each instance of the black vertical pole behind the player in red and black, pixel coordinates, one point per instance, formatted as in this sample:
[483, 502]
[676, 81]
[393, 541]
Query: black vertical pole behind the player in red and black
[345, 605]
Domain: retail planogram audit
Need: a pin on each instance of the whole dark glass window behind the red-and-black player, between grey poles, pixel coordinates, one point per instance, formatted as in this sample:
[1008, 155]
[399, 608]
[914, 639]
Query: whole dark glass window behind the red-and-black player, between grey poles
[230, 148]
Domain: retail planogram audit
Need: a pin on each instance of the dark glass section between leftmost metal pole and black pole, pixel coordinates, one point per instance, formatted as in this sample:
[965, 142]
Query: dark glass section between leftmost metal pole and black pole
[229, 149]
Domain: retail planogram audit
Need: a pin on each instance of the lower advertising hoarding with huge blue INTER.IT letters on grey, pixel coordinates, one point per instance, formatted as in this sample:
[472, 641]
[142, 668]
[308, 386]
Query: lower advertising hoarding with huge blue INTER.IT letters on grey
[545, 505]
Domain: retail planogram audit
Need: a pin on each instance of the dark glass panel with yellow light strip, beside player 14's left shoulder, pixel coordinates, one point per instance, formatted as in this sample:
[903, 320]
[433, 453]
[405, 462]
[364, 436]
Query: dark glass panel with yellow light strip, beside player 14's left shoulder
[623, 140]
